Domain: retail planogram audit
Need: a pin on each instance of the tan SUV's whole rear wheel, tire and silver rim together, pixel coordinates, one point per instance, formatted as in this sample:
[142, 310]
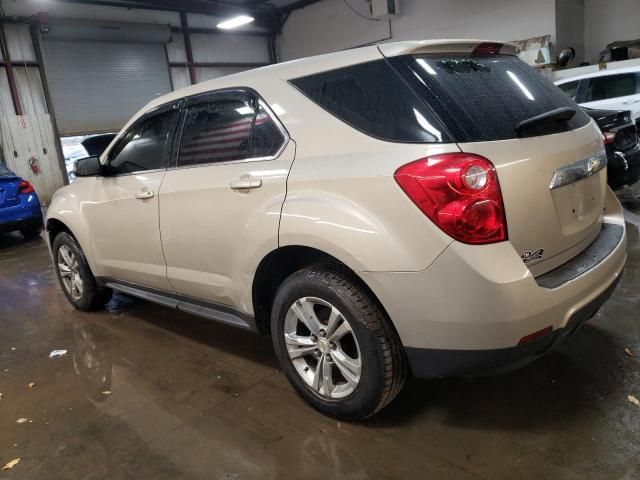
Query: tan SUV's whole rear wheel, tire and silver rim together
[335, 344]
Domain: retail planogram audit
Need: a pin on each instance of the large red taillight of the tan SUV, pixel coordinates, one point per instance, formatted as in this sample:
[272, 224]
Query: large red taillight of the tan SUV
[460, 193]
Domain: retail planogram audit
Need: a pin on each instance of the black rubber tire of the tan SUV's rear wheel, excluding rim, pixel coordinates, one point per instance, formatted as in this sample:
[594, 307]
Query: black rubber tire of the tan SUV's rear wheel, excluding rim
[384, 367]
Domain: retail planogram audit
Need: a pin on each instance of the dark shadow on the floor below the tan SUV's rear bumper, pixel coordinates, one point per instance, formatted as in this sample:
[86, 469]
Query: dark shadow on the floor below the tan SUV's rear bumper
[556, 388]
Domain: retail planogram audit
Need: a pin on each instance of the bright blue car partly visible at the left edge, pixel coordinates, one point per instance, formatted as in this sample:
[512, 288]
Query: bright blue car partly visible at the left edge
[19, 205]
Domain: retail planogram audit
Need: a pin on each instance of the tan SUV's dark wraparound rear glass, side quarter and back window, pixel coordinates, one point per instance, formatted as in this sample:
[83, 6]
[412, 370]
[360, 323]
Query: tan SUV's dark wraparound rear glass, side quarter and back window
[429, 99]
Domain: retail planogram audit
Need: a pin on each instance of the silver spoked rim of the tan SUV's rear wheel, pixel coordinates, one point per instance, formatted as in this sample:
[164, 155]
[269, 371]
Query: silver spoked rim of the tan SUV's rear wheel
[323, 347]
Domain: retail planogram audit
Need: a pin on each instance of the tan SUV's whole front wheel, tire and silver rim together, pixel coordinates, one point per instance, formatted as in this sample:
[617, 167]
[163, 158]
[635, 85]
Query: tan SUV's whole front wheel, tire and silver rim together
[74, 275]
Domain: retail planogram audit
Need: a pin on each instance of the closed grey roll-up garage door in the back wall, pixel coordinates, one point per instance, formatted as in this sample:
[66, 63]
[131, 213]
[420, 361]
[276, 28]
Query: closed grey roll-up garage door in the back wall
[97, 84]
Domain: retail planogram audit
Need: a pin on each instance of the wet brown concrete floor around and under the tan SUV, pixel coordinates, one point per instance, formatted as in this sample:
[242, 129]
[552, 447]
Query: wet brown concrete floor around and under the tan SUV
[147, 392]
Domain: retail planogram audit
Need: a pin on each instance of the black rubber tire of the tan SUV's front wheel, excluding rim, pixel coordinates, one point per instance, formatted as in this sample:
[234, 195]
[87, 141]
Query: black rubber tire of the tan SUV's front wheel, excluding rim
[93, 296]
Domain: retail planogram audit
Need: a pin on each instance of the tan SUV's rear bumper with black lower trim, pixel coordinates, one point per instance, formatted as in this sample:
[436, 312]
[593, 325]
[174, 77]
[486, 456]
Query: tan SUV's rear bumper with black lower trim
[467, 312]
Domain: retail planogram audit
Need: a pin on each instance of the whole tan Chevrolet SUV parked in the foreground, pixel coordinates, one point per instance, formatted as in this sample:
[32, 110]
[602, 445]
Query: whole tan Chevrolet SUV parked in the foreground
[435, 207]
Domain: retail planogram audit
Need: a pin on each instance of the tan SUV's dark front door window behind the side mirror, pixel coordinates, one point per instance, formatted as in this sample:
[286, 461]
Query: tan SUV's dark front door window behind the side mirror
[145, 146]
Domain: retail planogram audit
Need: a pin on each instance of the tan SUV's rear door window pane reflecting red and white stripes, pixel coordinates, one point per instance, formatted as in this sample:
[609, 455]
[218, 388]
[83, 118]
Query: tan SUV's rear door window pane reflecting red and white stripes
[217, 131]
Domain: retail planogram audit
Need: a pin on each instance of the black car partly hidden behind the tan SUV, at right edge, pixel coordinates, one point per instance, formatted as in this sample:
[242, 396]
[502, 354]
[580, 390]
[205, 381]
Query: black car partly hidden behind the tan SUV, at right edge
[620, 136]
